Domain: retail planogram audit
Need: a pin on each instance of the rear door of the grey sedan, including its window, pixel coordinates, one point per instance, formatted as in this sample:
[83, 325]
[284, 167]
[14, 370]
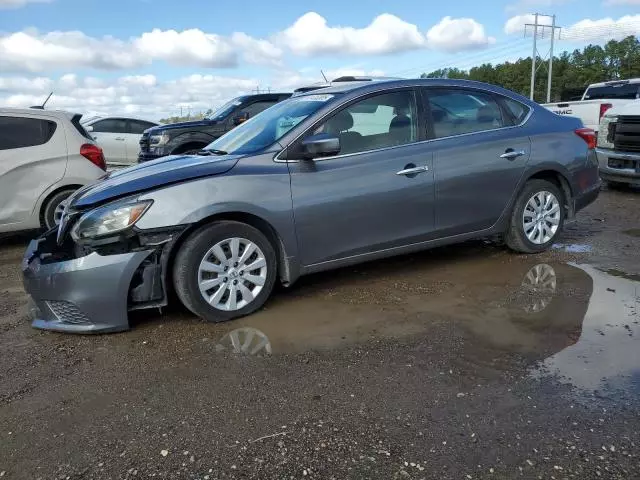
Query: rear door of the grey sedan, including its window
[480, 156]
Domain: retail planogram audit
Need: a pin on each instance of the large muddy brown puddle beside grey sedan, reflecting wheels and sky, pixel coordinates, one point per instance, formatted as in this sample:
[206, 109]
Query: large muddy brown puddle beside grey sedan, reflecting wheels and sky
[572, 322]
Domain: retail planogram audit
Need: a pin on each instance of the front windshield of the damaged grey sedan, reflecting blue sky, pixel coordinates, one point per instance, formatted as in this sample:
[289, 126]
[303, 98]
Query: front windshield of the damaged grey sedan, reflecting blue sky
[269, 126]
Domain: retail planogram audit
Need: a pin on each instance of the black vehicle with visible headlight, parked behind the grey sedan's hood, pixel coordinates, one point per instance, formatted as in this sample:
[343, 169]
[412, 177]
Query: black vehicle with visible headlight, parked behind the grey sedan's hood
[190, 137]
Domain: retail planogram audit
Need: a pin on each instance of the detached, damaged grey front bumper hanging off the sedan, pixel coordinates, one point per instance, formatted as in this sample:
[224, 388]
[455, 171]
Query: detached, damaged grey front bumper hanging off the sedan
[89, 292]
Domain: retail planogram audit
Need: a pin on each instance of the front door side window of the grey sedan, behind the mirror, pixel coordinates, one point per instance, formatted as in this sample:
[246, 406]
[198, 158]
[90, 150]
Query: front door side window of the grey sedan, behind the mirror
[381, 121]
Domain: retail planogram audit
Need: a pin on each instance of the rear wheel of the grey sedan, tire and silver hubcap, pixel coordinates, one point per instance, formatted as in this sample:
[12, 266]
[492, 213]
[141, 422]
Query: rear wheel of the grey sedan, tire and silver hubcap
[537, 217]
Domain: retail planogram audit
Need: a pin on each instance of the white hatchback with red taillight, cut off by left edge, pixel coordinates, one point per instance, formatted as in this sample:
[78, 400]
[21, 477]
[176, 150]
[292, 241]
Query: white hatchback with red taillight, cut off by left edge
[45, 156]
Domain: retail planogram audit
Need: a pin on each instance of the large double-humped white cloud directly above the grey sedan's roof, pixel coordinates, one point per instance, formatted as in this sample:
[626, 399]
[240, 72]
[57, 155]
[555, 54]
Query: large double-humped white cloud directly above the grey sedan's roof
[310, 35]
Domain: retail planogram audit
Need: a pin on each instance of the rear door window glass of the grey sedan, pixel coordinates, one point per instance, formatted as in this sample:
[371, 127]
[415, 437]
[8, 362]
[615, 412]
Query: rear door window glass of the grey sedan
[458, 111]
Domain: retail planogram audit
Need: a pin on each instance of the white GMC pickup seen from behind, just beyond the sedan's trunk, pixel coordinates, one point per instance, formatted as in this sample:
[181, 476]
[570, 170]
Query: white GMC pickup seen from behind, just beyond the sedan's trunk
[597, 99]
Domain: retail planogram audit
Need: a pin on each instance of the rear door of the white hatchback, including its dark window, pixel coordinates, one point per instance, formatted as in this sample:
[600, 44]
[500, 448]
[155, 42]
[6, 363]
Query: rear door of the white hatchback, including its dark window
[33, 156]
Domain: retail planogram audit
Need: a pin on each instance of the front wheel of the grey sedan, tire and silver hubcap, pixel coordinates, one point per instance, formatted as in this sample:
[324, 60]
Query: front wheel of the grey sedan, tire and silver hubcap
[188, 276]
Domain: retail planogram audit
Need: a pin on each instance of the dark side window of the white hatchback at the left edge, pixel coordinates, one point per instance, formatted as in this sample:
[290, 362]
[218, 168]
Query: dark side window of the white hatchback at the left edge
[19, 132]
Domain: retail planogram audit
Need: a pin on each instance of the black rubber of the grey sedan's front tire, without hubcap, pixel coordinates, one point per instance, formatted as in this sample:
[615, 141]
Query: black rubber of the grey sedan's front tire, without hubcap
[187, 261]
